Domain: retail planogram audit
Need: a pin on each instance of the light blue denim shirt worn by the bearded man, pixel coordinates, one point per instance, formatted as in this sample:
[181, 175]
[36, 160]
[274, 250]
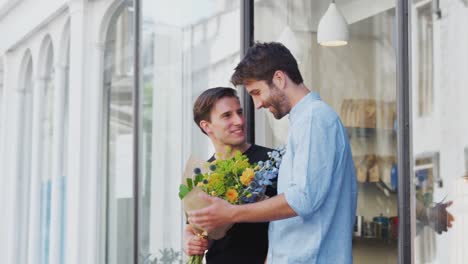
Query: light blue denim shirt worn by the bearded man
[318, 178]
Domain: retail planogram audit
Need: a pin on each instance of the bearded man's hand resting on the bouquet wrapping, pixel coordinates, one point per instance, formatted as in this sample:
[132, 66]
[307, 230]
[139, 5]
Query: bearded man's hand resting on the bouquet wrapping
[219, 213]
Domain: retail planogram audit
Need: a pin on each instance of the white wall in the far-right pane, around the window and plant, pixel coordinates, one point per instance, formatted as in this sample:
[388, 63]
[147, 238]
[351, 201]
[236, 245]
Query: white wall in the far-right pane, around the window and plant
[445, 130]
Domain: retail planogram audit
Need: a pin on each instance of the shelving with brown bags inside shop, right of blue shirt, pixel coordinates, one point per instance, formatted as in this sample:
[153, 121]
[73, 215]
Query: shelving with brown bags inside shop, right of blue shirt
[369, 125]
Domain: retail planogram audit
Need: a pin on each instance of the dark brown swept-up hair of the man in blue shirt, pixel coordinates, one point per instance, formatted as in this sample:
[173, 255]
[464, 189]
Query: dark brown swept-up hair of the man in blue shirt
[261, 62]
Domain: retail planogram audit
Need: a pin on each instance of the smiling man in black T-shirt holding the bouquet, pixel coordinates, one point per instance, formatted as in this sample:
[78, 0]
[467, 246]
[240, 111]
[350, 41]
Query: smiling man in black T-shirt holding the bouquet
[218, 114]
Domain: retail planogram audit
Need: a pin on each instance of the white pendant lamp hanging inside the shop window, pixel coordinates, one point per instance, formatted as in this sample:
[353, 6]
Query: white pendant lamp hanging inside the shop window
[333, 28]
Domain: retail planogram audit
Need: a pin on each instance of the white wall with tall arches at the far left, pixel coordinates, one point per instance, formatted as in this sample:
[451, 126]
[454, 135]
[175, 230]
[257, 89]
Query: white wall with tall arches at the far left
[88, 26]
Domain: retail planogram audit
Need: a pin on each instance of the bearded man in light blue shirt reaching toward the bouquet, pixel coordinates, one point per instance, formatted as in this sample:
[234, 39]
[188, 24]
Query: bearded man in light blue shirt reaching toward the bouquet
[313, 214]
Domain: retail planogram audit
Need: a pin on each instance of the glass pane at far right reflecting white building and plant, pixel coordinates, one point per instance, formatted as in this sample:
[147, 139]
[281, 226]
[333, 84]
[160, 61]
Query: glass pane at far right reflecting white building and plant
[439, 131]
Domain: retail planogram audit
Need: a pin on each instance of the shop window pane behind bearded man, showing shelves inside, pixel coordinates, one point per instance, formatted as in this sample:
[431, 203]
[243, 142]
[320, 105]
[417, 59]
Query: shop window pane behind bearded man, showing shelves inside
[359, 81]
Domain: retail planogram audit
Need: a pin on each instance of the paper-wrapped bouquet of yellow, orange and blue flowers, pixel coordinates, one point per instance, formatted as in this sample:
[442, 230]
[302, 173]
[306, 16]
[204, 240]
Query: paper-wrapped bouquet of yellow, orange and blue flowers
[232, 179]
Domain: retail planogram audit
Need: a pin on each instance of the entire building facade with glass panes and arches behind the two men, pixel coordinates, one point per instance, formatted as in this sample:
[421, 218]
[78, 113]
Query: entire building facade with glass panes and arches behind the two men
[96, 119]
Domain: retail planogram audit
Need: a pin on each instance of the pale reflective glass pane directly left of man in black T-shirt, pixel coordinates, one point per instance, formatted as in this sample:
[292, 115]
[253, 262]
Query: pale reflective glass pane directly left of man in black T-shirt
[187, 47]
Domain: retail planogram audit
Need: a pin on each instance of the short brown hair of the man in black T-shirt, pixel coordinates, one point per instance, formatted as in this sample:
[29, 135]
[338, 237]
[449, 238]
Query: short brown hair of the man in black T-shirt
[205, 102]
